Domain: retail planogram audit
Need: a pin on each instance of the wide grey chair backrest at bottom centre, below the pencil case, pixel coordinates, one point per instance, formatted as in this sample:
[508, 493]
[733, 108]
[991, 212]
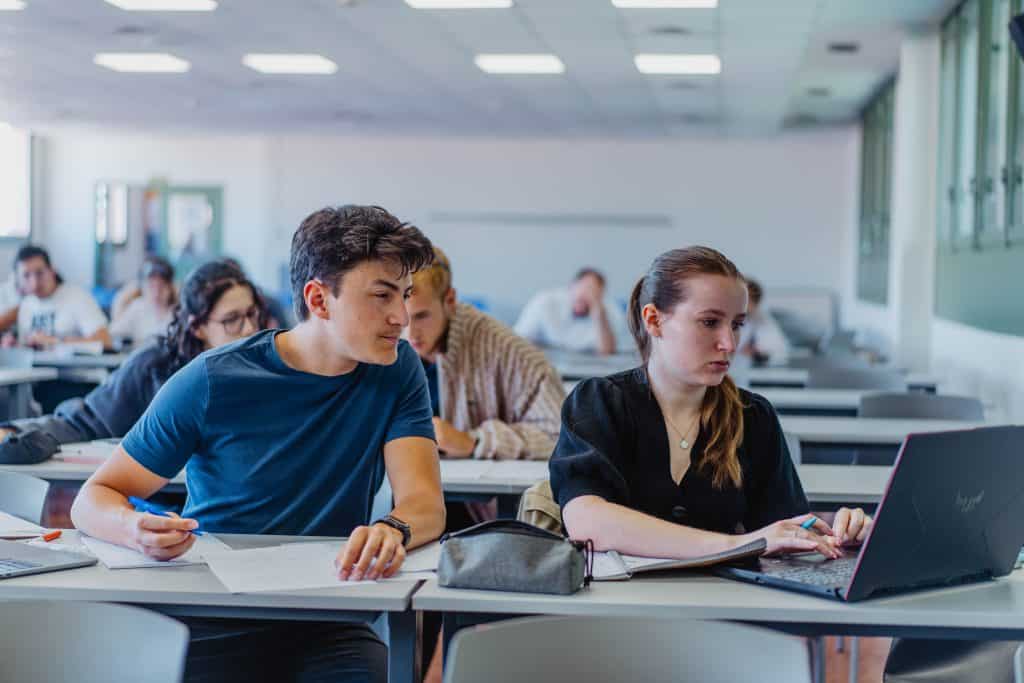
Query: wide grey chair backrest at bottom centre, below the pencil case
[603, 651]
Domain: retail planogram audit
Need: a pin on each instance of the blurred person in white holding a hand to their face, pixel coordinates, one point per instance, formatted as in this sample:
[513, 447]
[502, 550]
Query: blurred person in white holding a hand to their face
[575, 319]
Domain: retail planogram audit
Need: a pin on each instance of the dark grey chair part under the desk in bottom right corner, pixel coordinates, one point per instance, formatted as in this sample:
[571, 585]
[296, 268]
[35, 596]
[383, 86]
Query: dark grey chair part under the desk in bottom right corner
[916, 661]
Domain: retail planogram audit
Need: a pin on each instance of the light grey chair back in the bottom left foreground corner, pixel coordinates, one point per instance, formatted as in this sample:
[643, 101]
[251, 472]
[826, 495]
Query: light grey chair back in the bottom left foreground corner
[90, 643]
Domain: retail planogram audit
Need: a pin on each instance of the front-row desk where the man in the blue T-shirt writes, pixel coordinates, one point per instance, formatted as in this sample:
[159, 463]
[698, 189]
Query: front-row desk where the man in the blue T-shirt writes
[195, 591]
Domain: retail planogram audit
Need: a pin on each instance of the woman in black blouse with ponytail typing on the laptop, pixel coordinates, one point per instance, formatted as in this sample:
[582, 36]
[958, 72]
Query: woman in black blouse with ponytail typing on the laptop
[672, 459]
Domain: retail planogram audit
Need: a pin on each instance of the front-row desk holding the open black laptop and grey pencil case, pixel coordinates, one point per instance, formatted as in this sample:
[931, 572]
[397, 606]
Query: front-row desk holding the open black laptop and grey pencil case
[992, 611]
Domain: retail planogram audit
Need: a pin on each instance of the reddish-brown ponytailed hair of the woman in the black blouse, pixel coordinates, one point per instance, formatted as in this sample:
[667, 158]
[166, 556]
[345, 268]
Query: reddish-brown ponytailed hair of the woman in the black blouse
[665, 287]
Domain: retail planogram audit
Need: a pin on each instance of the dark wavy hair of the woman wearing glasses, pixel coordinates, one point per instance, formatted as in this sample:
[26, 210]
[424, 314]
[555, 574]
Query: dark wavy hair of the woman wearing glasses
[200, 293]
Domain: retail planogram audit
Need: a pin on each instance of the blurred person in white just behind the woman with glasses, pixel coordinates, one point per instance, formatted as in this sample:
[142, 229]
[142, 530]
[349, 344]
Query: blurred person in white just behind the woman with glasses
[149, 315]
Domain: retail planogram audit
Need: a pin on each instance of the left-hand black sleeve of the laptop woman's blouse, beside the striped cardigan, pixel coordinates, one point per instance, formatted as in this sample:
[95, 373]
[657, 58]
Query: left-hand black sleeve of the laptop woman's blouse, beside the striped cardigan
[590, 455]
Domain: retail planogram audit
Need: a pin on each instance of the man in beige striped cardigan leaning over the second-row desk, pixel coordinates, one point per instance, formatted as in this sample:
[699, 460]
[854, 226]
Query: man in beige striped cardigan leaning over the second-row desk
[494, 396]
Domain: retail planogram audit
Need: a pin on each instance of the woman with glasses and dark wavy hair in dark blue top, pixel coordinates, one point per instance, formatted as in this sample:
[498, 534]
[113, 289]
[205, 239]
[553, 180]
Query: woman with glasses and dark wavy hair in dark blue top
[219, 306]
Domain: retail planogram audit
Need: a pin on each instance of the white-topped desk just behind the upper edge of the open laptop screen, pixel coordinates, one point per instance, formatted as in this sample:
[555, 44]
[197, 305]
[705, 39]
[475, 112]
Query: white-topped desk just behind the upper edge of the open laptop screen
[874, 440]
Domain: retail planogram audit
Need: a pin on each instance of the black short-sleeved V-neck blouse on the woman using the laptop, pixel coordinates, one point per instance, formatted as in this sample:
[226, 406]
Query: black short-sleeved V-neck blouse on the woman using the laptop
[614, 445]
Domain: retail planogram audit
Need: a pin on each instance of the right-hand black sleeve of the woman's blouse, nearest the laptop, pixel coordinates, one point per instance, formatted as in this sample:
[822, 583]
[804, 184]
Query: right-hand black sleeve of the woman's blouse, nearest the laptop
[775, 492]
